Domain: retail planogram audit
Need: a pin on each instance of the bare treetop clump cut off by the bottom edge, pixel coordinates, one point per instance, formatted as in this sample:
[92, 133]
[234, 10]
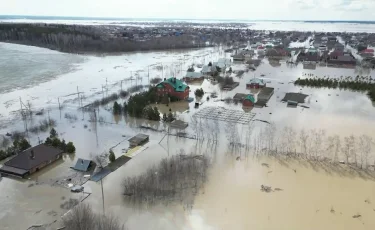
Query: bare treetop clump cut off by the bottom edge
[82, 217]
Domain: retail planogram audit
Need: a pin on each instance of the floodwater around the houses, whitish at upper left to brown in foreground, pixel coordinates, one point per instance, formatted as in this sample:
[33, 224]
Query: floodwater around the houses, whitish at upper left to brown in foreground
[313, 195]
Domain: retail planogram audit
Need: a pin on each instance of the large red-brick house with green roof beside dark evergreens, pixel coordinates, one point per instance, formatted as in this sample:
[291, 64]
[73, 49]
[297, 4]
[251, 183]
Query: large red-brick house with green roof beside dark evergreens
[173, 87]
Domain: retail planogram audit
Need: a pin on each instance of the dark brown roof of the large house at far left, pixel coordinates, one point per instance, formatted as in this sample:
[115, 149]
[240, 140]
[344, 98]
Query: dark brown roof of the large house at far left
[42, 153]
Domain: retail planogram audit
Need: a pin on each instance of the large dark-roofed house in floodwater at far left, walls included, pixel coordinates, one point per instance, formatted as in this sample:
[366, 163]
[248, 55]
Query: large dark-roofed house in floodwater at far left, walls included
[31, 160]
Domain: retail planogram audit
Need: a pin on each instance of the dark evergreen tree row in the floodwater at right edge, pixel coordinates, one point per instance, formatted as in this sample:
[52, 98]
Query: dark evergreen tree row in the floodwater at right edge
[358, 85]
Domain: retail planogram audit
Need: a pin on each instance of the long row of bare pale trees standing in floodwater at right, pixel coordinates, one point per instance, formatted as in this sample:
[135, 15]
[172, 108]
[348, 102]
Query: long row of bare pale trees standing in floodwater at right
[312, 144]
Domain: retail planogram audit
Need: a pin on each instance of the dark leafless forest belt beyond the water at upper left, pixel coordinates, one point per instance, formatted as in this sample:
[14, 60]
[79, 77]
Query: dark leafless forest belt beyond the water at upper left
[81, 39]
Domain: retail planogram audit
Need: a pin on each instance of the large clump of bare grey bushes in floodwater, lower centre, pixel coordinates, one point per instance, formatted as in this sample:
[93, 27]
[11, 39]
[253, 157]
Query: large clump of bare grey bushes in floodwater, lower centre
[177, 178]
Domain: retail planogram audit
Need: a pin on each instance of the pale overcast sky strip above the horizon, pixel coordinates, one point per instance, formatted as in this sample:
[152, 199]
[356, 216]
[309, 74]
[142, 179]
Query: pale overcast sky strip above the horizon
[197, 9]
